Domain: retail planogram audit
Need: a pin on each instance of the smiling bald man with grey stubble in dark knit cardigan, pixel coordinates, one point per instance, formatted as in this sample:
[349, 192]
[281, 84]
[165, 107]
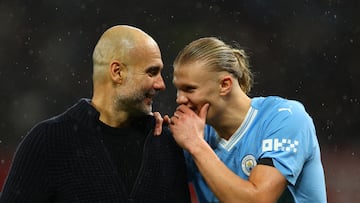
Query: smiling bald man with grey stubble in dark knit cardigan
[105, 149]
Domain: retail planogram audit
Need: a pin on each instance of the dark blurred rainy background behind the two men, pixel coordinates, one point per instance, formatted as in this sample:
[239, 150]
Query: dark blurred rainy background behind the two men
[300, 49]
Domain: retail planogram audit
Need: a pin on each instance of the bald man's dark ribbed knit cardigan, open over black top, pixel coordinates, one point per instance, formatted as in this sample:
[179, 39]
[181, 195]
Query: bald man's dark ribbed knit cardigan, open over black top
[64, 159]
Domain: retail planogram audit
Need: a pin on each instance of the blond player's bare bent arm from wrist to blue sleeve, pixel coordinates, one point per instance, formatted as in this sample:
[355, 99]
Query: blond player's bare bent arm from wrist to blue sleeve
[265, 183]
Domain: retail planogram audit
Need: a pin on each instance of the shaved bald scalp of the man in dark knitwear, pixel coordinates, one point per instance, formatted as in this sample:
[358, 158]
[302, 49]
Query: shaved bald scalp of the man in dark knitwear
[118, 43]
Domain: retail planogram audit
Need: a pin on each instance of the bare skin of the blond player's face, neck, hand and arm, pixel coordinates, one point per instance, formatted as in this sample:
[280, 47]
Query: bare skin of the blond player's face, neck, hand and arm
[216, 98]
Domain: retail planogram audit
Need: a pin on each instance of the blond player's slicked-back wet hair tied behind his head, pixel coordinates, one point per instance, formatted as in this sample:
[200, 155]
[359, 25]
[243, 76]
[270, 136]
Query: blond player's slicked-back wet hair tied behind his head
[218, 56]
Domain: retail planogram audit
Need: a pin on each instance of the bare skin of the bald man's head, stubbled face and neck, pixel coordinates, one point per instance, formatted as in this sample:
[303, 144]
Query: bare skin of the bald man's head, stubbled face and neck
[127, 75]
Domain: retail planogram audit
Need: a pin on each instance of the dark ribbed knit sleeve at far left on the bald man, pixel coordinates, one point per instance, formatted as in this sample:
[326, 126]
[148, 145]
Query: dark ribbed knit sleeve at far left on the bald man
[28, 179]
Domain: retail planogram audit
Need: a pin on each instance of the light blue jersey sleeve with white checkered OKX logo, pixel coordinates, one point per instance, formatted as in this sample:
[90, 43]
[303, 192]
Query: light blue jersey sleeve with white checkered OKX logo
[288, 139]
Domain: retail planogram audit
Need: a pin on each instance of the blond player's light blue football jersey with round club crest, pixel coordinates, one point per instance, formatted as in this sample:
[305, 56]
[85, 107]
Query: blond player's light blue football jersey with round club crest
[274, 128]
